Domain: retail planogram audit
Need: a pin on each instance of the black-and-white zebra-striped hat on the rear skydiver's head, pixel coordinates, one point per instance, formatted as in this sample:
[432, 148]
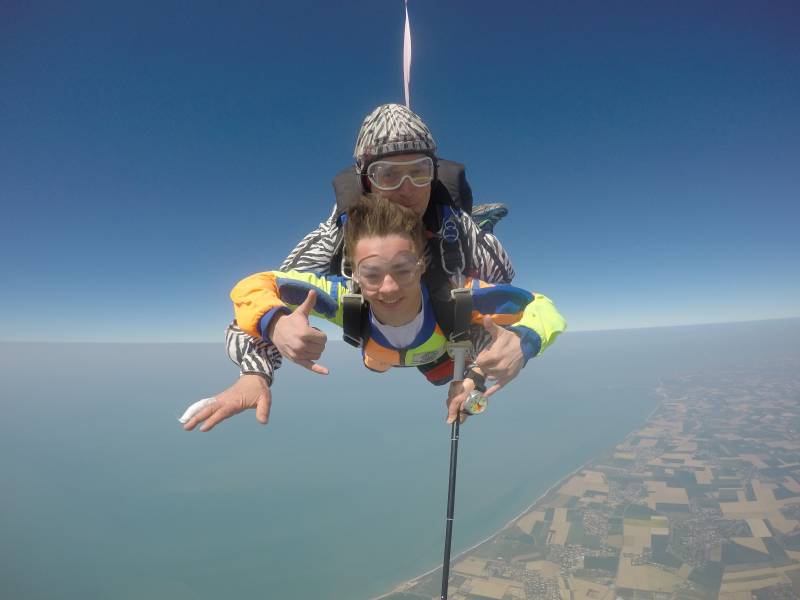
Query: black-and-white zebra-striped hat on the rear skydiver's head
[391, 129]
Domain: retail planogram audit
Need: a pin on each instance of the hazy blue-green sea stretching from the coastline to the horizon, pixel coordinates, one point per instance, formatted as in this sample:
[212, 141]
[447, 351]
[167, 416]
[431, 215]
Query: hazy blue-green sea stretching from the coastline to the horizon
[341, 496]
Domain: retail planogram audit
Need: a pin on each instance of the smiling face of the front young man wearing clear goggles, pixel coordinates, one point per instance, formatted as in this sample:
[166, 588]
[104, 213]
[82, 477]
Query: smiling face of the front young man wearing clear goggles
[388, 269]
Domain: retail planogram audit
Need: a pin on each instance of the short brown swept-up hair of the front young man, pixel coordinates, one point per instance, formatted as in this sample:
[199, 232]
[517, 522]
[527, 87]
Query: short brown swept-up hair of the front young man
[372, 216]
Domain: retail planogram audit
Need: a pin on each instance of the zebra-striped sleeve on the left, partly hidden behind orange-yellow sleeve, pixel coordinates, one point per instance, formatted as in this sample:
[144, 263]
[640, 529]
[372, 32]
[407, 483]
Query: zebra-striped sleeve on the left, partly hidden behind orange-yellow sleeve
[313, 253]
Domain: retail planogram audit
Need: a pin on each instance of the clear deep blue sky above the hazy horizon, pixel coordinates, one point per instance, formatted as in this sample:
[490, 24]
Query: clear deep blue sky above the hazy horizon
[152, 155]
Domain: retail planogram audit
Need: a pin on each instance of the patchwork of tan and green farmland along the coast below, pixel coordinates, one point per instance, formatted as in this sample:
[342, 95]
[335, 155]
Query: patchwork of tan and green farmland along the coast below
[702, 502]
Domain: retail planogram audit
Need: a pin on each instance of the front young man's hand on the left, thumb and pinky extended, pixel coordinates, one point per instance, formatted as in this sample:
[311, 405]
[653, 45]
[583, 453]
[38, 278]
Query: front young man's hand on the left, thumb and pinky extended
[296, 339]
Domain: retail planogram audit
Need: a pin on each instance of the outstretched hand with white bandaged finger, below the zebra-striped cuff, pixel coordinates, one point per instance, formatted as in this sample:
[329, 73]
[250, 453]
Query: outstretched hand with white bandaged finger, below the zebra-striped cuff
[250, 391]
